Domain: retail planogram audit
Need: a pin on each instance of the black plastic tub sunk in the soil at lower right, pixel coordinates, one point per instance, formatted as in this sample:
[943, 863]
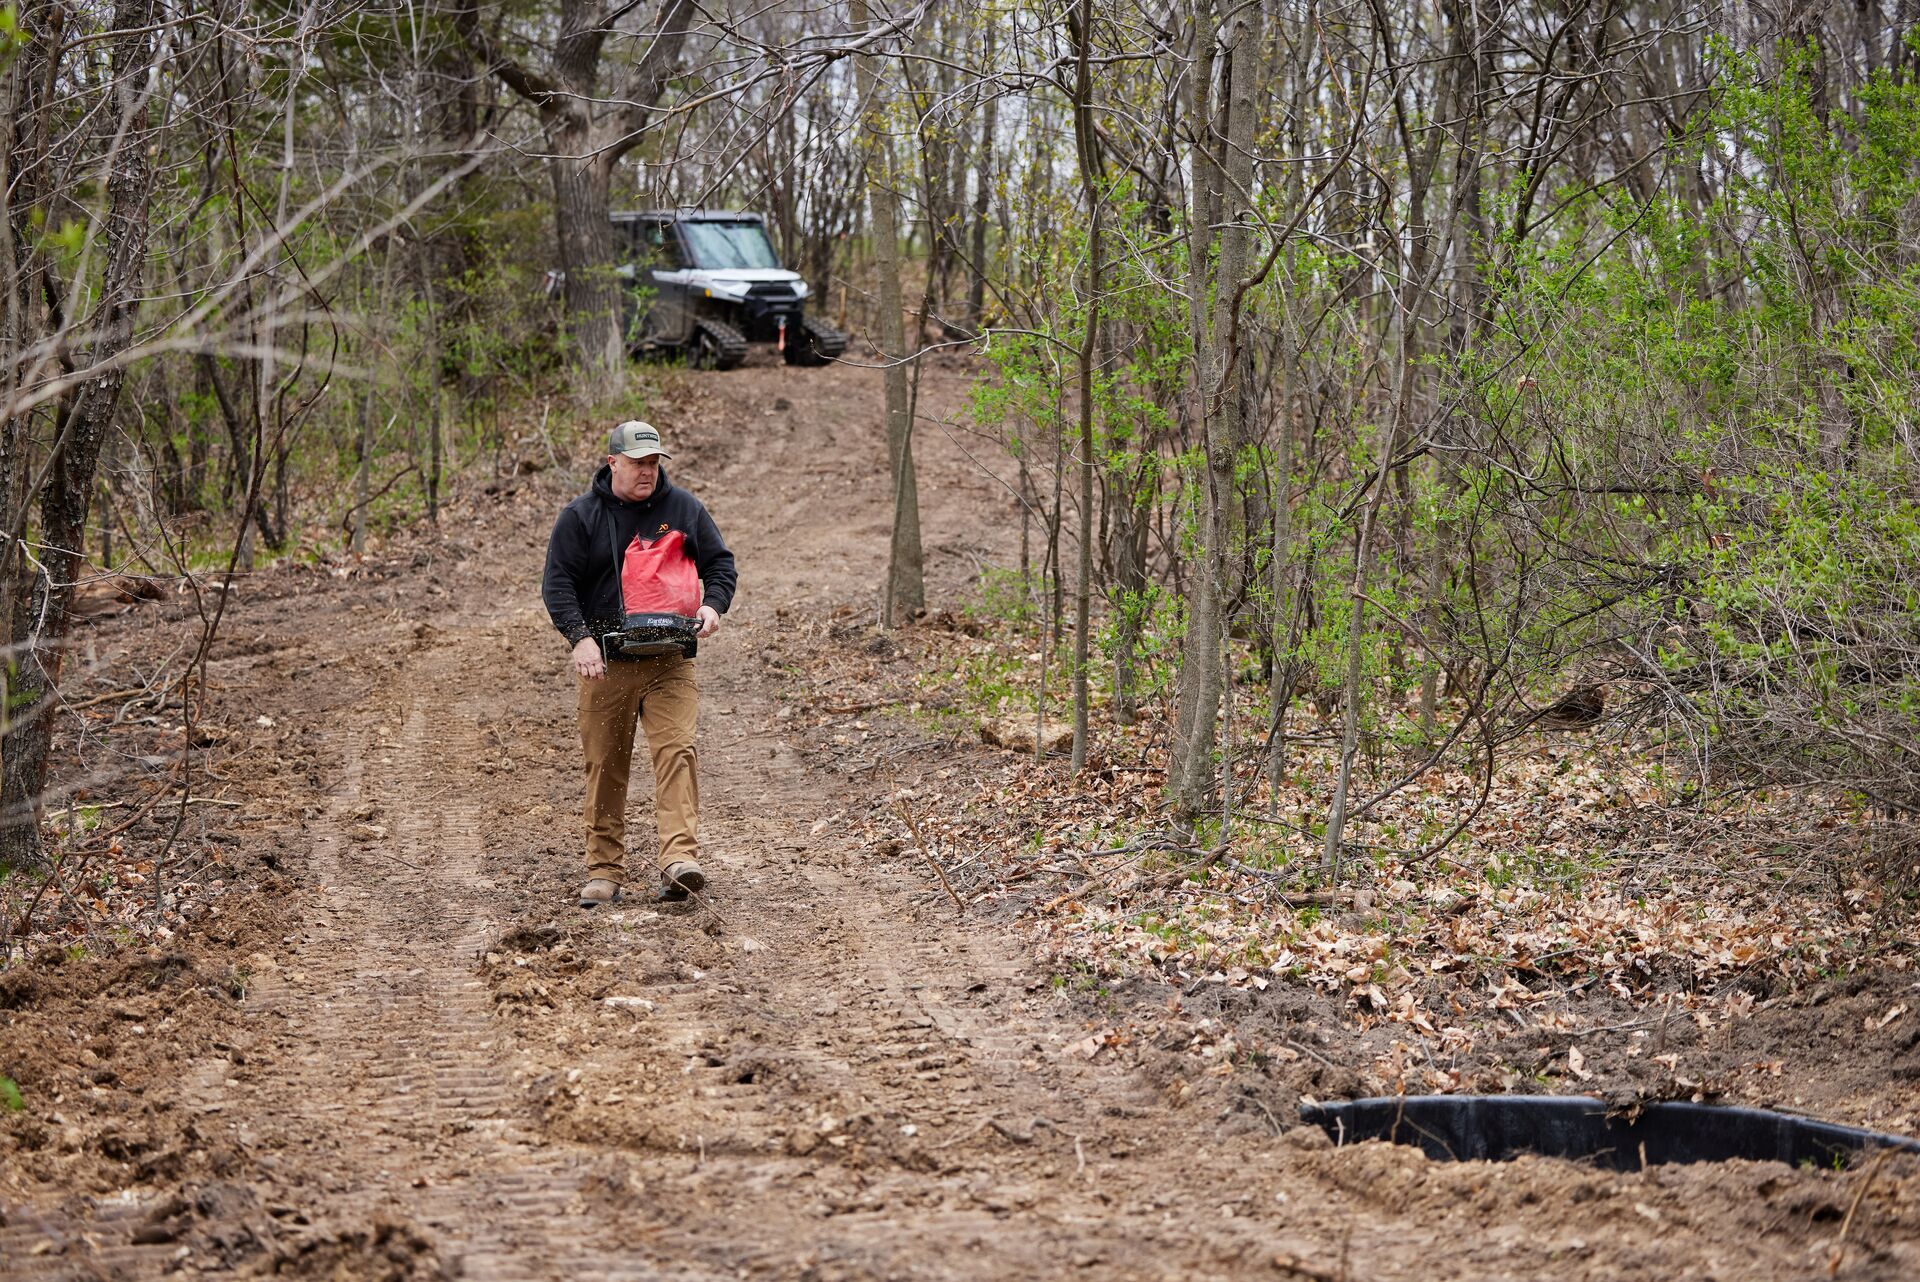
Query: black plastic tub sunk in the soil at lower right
[1504, 1128]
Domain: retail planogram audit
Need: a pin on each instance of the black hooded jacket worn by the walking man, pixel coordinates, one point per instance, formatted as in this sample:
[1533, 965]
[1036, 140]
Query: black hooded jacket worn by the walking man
[583, 581]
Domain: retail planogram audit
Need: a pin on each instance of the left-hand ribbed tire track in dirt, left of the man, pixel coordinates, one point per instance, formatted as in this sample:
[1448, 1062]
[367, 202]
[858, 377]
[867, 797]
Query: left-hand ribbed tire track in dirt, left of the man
[393, 1003]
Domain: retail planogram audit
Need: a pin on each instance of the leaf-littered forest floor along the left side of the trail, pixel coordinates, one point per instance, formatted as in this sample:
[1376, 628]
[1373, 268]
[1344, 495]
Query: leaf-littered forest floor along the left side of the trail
[153, 801]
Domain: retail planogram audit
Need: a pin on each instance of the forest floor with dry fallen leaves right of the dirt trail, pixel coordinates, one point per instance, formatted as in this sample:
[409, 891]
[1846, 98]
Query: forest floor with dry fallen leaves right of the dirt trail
[1589, 888]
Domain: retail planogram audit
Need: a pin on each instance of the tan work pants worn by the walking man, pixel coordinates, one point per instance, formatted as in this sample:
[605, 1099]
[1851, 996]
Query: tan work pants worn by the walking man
[663, 698]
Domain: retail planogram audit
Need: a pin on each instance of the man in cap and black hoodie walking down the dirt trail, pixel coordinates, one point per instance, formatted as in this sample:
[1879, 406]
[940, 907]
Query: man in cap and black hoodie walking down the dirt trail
[636, 515]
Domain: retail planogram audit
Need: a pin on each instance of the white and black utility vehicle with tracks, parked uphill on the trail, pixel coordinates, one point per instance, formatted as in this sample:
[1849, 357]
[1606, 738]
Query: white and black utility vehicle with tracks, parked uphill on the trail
[706, 283]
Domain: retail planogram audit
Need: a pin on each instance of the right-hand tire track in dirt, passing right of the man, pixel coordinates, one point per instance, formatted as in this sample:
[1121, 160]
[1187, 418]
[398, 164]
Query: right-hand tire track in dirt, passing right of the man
[852, 1083]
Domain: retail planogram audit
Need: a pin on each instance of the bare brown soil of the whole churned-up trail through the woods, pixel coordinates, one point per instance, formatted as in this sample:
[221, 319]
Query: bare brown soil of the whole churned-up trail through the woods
[406, 1055]
